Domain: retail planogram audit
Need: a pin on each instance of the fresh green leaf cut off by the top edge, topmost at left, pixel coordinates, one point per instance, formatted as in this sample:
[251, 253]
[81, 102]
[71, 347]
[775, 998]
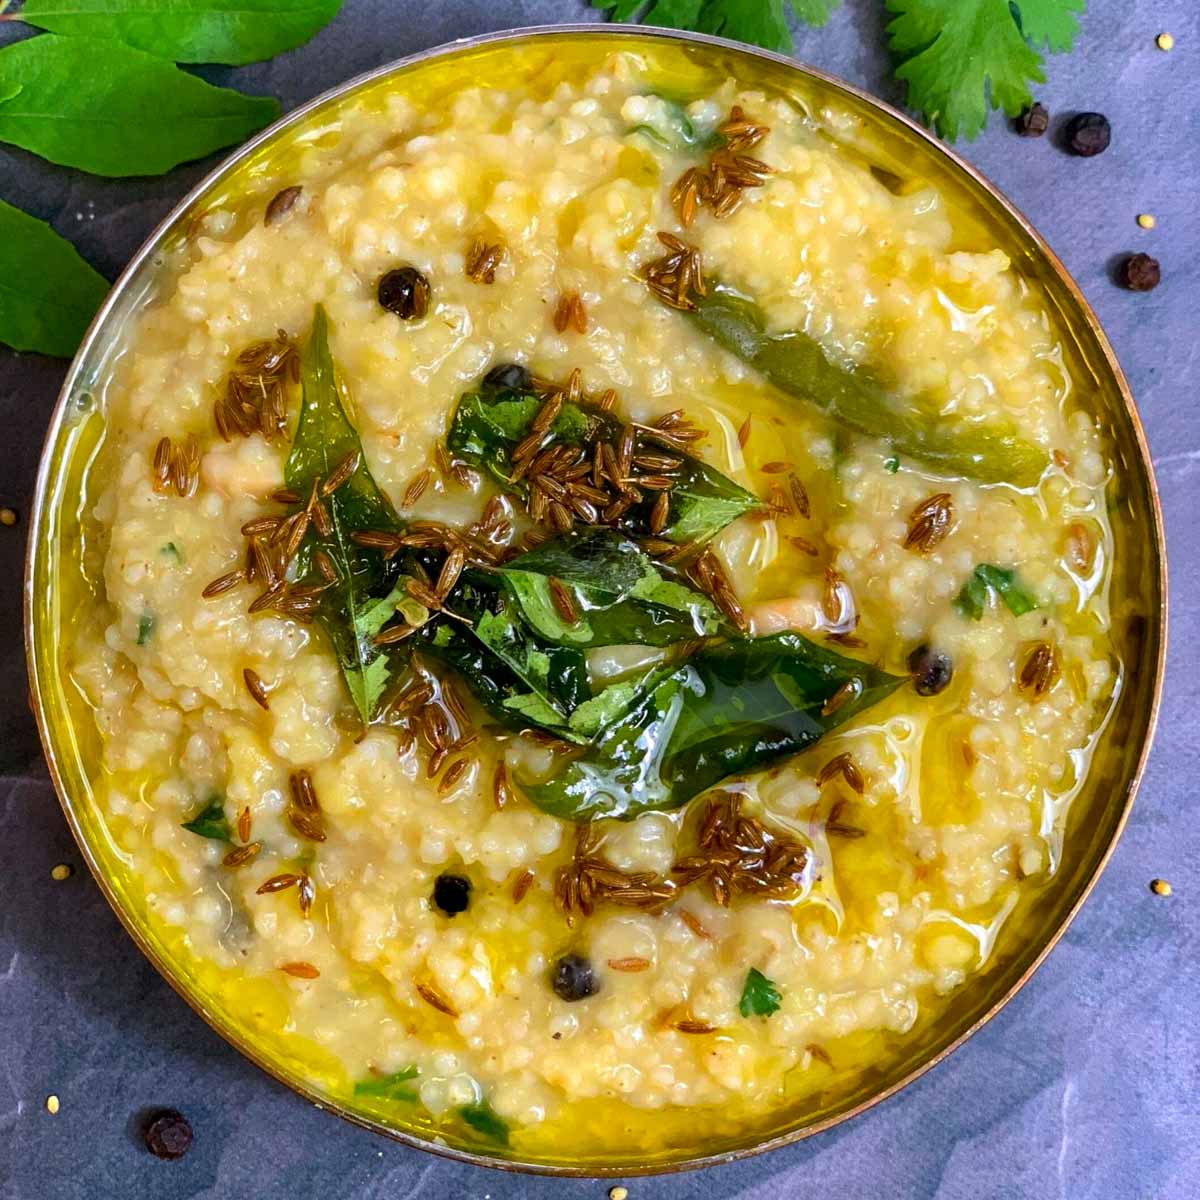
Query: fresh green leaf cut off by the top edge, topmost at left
[231, 32]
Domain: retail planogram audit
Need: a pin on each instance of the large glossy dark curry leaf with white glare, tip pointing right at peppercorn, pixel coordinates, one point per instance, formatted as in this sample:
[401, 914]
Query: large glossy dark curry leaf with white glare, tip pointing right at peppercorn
[731, 709]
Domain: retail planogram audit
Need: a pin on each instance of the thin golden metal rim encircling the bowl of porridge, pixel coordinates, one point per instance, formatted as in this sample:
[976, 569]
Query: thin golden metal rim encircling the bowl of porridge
[93, 344]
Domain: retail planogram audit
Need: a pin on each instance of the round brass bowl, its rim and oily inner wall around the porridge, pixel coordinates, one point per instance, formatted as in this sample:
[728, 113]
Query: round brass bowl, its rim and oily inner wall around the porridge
[55, 574]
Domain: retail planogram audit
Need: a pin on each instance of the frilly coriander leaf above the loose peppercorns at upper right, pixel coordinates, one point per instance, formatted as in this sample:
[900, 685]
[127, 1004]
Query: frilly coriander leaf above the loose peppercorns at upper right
[959, 56]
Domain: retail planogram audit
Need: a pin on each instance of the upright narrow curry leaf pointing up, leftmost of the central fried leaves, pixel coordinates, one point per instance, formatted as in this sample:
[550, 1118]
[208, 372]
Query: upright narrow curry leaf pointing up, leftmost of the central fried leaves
[323, 441]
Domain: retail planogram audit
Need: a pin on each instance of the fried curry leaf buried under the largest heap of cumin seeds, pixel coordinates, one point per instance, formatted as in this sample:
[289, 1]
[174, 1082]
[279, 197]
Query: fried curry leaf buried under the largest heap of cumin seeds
[489, 425]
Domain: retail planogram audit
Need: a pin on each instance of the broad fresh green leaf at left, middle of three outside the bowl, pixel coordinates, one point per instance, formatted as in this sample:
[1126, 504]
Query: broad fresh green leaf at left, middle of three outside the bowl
[113, 111]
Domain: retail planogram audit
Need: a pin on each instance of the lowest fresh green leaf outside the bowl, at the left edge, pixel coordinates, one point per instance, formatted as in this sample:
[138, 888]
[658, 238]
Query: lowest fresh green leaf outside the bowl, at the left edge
[49, 295]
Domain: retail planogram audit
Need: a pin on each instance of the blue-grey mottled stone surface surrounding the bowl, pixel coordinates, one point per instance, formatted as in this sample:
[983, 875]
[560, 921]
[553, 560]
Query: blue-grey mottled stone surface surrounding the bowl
[1087, 1088]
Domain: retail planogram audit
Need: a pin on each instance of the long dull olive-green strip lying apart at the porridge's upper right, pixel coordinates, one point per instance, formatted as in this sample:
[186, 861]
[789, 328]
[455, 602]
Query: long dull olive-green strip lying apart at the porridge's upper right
[991, 453]
